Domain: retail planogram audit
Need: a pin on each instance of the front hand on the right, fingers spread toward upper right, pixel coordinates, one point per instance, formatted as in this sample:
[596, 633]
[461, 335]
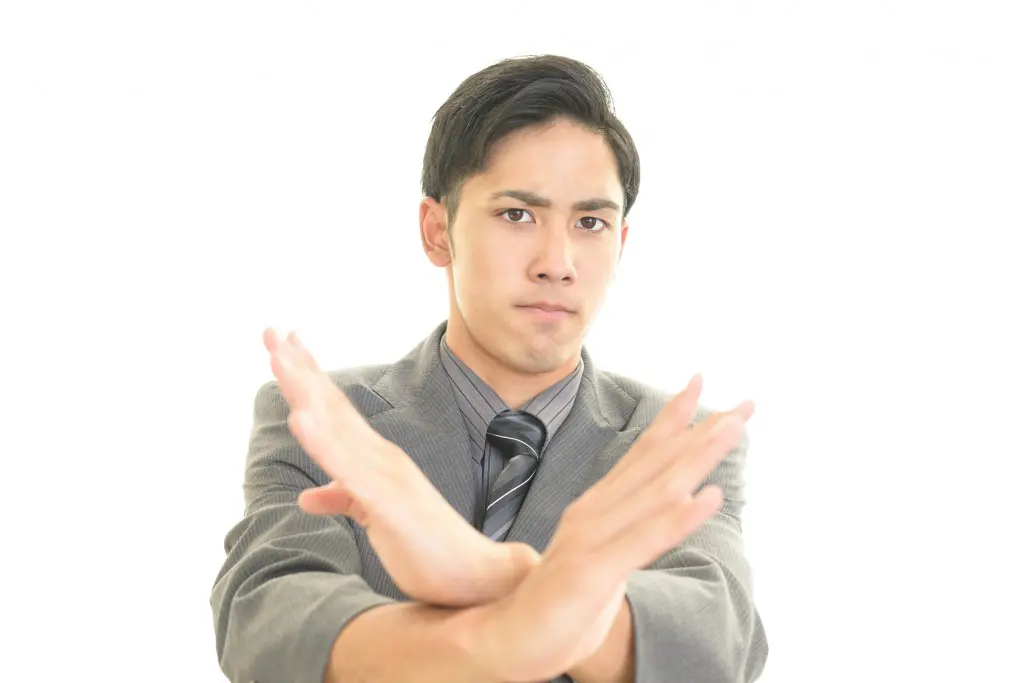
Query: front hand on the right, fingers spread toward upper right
[563, 611]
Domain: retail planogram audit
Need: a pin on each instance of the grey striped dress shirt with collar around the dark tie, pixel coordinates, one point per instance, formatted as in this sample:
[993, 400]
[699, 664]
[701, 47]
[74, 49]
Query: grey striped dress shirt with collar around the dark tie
[479, 405]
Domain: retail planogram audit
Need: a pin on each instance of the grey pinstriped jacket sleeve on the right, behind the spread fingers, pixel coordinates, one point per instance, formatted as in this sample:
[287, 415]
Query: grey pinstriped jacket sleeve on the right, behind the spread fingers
[694, 614]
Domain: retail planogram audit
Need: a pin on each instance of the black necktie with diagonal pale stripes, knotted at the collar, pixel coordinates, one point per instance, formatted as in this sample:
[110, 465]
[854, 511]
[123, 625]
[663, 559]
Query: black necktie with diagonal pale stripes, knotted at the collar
[520, 438]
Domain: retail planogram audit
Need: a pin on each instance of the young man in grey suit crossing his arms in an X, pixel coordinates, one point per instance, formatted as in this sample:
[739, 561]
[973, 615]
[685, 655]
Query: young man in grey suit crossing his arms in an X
[494, 507]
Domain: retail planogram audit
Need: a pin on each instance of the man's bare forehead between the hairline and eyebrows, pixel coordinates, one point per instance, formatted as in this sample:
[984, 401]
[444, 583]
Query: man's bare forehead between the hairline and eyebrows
[563, 160]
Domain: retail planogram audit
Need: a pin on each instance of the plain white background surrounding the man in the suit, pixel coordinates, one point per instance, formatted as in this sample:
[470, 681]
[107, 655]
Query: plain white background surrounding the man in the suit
[829, 223]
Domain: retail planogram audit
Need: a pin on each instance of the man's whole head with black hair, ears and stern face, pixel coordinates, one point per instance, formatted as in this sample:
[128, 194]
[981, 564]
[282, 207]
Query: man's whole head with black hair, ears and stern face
[528, 180]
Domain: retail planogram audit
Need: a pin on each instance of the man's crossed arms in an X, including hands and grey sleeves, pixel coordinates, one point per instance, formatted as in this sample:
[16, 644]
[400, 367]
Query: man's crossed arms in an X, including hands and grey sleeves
[644, 580]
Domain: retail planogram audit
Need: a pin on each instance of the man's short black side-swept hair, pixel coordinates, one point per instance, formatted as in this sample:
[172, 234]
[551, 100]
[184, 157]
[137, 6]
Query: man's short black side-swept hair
[517, 94]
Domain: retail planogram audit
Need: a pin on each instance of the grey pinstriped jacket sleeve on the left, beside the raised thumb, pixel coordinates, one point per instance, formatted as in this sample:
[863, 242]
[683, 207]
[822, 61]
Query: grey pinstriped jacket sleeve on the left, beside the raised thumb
[291, 581]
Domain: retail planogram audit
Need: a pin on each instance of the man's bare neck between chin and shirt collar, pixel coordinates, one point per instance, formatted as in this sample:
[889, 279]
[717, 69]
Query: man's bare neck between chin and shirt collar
[513, 387]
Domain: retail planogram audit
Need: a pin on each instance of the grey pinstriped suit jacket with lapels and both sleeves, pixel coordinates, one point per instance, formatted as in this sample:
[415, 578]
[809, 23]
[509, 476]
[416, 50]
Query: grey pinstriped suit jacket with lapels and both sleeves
[291, 581]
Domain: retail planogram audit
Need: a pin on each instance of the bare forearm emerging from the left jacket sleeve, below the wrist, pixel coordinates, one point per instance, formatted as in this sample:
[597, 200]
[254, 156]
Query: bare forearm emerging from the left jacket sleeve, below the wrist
[405, 643]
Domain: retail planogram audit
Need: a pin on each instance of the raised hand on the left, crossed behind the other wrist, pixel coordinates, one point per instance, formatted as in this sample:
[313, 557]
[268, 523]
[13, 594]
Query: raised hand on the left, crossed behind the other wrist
[431, 552]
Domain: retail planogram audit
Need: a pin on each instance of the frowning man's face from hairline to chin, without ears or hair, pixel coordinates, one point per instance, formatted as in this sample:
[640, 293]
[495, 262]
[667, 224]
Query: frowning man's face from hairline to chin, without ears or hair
[542, 225]
